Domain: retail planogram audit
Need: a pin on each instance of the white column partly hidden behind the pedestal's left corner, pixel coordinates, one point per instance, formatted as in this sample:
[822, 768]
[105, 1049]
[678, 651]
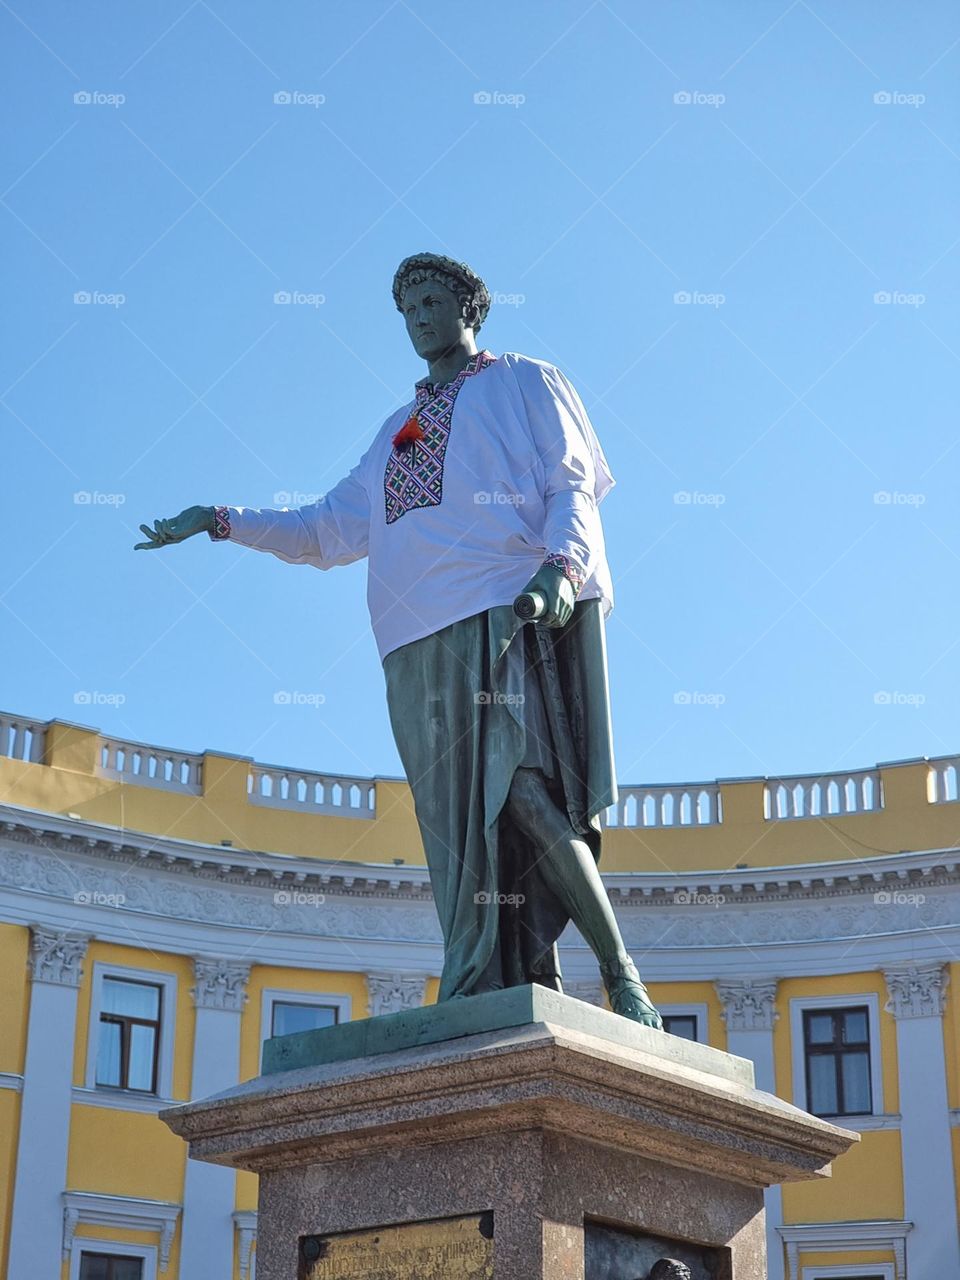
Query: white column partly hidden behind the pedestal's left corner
[209, 1191]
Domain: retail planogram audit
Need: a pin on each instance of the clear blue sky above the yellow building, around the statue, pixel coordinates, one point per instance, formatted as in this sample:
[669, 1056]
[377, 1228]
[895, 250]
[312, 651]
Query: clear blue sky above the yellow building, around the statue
[784, 167]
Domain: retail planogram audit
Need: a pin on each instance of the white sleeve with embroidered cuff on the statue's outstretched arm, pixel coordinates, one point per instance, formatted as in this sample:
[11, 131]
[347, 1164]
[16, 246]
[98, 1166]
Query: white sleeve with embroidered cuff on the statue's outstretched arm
[331, 532]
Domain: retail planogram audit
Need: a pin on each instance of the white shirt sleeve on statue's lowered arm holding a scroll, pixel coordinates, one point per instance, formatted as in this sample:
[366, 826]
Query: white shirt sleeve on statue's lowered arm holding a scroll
[577, 477]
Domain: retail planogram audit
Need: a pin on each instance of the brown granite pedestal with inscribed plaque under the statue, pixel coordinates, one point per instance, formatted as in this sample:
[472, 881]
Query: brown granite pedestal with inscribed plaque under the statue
[519, 1135]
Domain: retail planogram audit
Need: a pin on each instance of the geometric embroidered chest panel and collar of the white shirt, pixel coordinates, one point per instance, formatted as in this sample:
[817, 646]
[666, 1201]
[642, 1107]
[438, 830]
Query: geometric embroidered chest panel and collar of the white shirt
[414, 474]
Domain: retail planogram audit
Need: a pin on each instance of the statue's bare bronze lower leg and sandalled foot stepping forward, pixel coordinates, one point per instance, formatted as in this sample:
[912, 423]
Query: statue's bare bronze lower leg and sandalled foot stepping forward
[568, 866]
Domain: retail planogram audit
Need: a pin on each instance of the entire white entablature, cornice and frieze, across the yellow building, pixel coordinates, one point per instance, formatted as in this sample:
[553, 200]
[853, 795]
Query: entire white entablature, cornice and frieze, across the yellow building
[80, 877]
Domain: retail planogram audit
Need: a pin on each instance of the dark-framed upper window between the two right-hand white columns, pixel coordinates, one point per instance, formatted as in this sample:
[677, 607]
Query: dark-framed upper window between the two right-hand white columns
[838, 1058]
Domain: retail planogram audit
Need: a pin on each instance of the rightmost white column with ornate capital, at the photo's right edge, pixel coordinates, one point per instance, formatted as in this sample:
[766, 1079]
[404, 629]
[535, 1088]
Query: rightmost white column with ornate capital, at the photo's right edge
[930, 1191]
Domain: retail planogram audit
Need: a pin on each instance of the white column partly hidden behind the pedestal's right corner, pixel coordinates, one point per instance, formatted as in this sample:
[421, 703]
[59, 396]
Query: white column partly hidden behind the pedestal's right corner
[749, 1013]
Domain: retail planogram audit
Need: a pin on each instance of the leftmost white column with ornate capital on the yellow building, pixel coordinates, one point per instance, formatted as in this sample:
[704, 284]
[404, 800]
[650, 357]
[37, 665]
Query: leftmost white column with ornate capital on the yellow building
[36, 1229]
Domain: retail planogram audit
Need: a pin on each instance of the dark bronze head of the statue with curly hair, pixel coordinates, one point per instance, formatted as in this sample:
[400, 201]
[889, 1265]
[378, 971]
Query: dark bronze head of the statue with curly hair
[442, 303]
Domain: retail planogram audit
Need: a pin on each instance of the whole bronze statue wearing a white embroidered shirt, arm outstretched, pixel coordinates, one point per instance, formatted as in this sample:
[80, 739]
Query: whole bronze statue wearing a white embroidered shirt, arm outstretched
[501, 714]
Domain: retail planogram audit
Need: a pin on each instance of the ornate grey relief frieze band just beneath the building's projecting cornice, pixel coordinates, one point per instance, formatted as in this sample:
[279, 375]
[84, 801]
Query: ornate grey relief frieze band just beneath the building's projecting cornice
[132, 888]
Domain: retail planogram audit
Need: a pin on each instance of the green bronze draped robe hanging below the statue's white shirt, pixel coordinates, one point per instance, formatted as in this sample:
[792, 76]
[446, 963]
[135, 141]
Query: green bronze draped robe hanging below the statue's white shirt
[456, 707]
